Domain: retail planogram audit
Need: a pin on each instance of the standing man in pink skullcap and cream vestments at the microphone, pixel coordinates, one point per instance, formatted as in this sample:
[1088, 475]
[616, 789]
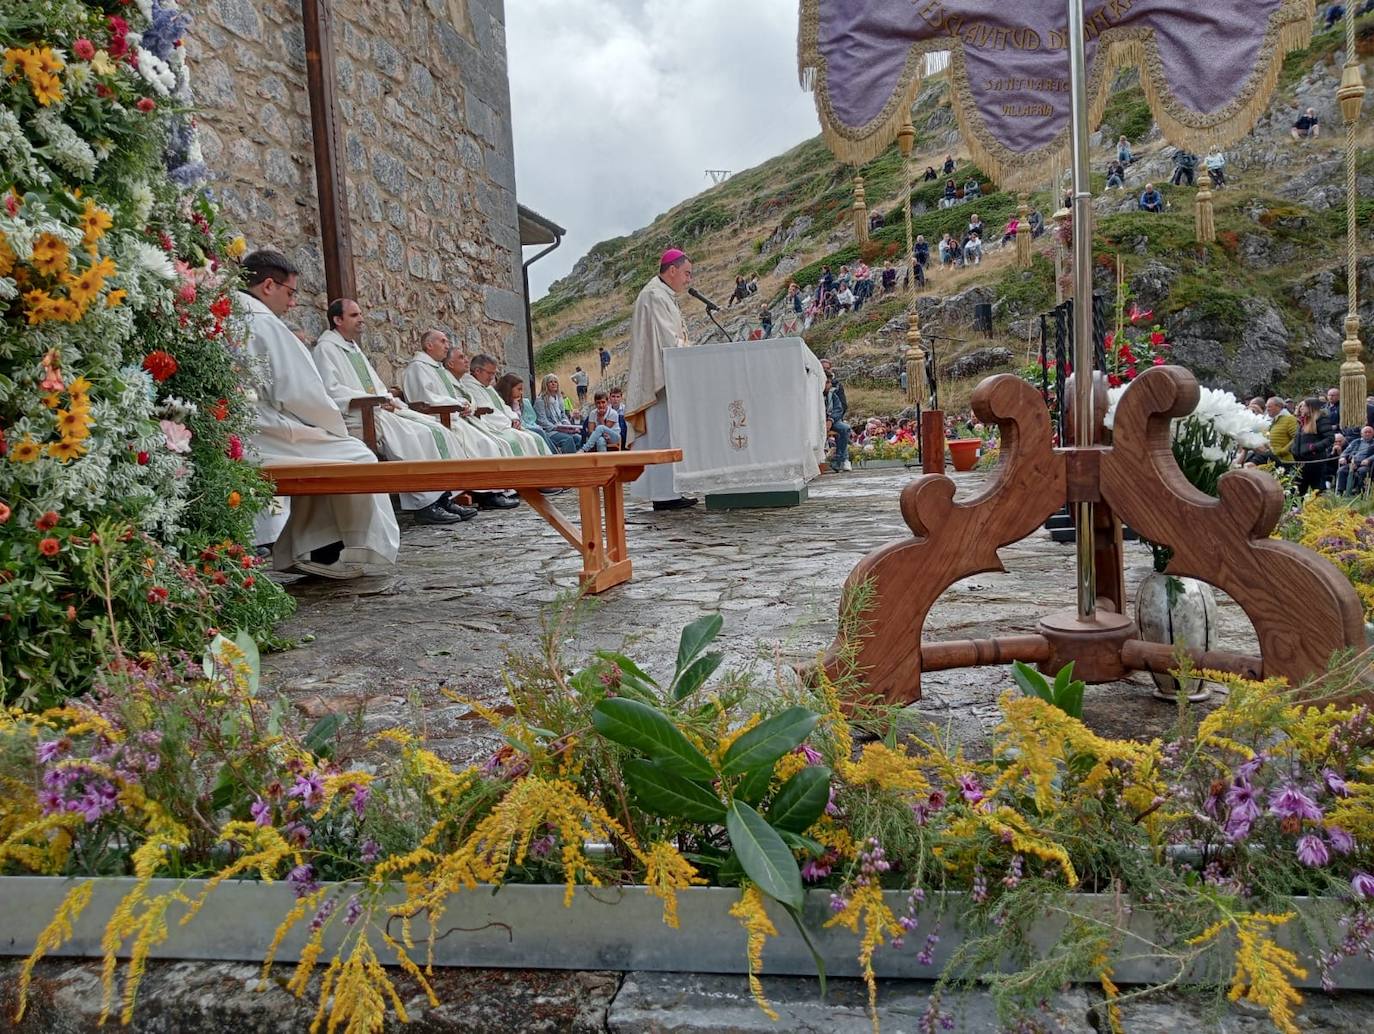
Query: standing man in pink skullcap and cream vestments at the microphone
[656, 325]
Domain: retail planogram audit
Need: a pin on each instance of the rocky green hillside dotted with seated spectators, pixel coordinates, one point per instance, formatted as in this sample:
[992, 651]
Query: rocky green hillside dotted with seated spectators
[1280, 222]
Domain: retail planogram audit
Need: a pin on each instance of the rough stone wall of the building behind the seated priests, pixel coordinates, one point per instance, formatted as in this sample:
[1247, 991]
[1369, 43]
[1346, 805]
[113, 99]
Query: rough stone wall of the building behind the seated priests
[425, 122]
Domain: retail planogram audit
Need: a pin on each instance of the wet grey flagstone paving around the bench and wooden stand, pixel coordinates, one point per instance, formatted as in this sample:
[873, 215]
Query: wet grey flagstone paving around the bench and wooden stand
[462, 597]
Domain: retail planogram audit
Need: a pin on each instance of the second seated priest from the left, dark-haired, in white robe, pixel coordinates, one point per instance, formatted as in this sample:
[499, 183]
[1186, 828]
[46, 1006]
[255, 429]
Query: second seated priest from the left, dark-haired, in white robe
[402, 433]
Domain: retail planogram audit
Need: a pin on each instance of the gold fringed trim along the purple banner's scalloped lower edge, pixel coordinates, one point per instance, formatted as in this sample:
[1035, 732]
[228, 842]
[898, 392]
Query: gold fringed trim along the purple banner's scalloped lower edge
[1289, 30]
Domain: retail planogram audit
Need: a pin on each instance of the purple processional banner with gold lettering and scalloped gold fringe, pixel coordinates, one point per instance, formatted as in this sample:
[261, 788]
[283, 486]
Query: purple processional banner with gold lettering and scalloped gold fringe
[1207, 67]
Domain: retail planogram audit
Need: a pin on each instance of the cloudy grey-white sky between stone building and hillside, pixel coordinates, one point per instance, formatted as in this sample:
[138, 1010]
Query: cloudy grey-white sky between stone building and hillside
[620, 106]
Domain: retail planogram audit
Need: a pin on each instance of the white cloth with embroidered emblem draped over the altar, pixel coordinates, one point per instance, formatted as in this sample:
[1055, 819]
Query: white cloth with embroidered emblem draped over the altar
[748, 415]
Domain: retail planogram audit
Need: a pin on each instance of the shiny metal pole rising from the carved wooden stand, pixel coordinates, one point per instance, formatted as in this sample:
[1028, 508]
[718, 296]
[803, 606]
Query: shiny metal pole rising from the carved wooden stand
[1083, 417]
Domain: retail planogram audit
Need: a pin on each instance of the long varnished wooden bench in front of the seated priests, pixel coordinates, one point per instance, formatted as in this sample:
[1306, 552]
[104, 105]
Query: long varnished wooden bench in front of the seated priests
[598, 479]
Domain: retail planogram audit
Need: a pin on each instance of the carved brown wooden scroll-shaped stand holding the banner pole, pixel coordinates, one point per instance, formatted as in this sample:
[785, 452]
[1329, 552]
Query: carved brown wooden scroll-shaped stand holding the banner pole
[1302, 608]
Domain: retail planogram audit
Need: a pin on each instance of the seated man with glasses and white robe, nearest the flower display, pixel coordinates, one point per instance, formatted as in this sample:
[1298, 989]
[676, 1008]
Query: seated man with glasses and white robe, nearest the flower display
[297, 422]
